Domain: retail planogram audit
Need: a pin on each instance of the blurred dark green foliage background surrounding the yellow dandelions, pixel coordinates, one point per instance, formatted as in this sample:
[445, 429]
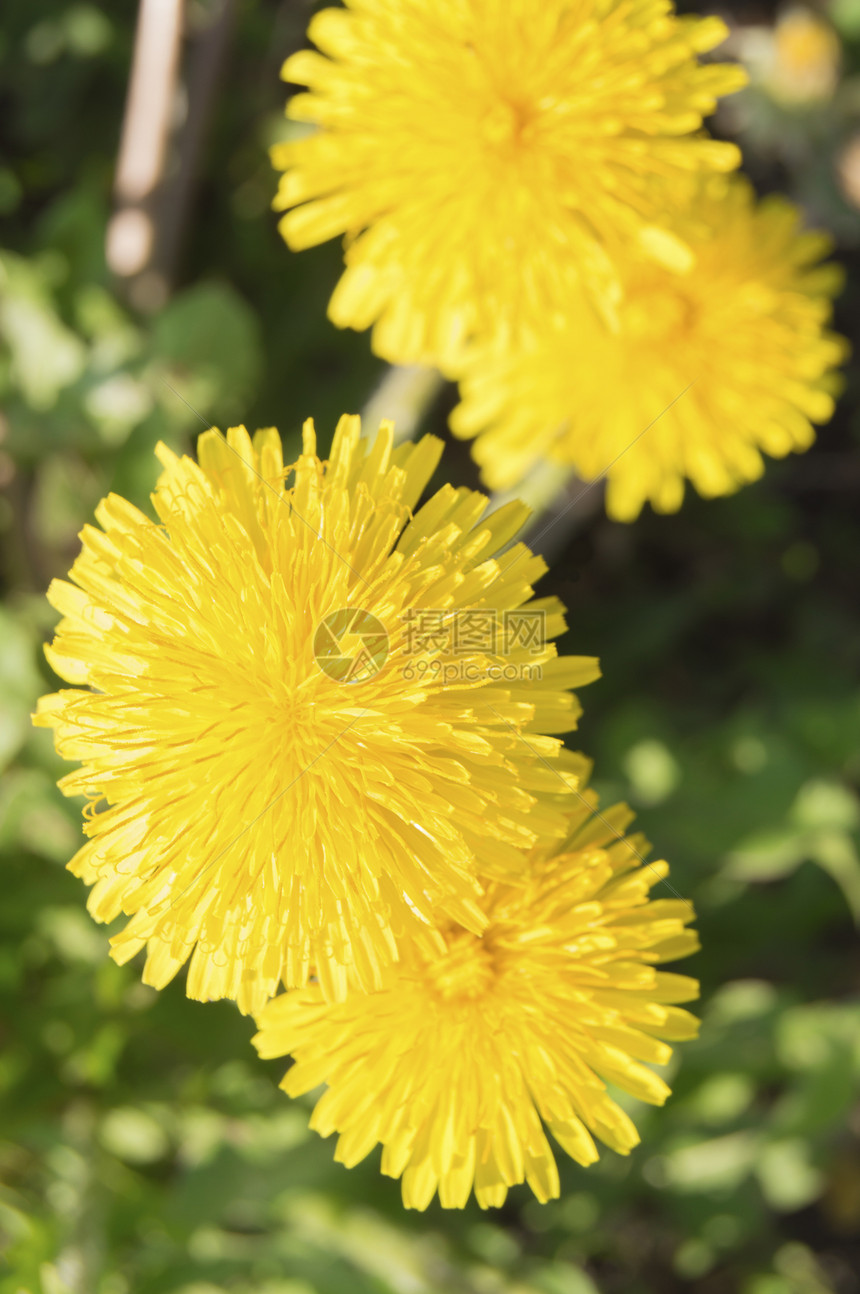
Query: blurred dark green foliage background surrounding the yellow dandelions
[144, 1150]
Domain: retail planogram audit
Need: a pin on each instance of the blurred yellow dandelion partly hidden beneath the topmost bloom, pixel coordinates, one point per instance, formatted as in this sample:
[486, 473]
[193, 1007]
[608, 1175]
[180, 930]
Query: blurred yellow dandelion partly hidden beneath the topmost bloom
[707, 369]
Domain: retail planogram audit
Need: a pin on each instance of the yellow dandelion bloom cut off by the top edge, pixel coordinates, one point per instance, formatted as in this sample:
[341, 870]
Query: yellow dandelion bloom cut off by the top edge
[480, 156]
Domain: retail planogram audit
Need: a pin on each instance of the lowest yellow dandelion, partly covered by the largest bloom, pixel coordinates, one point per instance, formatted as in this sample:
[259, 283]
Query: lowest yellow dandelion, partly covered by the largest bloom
[460, 1059]
